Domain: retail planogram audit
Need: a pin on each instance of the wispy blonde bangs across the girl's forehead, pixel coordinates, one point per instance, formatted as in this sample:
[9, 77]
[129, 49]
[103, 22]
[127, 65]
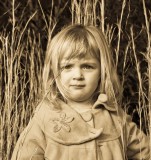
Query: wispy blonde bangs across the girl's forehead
[78, 46]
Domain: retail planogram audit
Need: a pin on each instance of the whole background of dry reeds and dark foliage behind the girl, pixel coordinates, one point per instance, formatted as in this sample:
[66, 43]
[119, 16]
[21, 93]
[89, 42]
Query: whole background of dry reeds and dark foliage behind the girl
[25, 29]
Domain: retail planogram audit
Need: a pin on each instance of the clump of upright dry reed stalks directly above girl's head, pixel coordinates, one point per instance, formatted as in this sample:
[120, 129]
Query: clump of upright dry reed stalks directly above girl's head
[88, 12]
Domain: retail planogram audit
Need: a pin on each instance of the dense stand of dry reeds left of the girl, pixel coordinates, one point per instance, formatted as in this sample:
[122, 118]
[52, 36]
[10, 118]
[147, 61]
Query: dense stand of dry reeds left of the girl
[20, 84]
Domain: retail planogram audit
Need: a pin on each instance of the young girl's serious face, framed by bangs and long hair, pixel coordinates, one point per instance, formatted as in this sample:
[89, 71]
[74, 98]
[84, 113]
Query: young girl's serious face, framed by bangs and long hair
[79, 78]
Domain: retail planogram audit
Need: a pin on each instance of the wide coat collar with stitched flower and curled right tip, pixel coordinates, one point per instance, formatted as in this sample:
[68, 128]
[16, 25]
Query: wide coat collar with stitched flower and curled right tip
[66, 126]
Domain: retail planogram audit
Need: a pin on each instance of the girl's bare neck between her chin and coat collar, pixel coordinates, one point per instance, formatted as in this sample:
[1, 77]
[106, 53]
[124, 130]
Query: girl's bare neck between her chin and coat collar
[80, 106]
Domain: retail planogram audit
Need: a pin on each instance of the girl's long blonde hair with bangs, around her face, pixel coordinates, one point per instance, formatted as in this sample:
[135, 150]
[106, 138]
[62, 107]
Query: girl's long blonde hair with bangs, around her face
[77, 41]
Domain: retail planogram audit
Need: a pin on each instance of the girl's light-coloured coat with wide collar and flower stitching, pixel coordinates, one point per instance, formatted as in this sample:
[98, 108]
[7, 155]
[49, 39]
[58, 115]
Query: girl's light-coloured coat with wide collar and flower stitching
[64, 134]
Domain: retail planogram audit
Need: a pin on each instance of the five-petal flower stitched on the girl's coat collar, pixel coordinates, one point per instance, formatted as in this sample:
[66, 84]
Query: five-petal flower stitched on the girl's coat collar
[62, 122]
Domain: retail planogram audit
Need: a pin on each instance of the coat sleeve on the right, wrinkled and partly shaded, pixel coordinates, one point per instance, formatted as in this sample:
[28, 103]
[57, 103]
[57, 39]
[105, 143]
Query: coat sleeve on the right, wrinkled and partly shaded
[137, 142]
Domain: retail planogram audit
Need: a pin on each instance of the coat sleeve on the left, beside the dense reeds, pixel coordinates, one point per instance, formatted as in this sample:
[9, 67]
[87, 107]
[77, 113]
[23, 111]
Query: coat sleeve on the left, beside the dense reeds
[31, 143]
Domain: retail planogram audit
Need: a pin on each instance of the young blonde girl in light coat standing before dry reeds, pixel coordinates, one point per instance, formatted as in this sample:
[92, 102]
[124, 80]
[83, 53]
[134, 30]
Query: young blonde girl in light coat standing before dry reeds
[79, 117]
